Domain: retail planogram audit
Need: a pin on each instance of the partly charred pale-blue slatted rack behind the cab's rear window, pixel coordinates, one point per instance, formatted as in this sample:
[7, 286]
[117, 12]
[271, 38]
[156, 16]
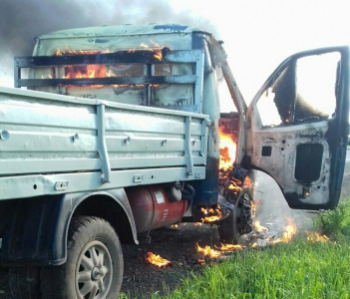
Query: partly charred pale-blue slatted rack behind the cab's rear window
[144, 57]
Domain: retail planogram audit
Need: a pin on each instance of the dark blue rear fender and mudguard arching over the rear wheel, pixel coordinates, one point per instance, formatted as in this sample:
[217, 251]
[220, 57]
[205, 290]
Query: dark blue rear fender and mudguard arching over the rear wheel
[34, 231]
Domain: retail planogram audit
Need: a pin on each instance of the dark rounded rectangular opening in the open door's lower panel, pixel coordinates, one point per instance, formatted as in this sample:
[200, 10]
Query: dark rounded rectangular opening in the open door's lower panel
[308, 162]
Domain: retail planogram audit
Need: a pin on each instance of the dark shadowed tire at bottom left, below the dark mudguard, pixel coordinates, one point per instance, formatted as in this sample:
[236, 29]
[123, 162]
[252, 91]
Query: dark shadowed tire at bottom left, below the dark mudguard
[24, 282]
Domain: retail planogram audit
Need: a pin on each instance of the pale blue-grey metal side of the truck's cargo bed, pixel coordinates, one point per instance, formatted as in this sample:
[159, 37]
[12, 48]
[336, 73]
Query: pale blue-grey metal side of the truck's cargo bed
[57, 144]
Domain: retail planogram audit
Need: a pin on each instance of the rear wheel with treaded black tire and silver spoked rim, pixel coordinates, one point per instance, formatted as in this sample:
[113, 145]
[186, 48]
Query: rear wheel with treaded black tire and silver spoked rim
[94, 252]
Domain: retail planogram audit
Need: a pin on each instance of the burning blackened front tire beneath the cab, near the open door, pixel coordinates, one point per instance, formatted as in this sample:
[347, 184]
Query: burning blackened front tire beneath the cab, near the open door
[239, 221]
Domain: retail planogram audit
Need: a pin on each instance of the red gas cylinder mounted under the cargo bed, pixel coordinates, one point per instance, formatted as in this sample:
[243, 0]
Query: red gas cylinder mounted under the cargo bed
[153, 209]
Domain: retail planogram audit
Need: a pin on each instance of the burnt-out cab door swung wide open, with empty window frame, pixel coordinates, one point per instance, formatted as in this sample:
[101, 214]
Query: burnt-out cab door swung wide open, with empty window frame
[298, 127]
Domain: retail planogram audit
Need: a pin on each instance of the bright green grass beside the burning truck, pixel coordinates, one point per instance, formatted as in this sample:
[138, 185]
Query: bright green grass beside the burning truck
[299, 269]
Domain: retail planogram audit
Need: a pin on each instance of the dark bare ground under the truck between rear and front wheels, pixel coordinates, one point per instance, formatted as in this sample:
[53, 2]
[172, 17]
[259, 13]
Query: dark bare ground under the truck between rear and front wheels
[175, 244]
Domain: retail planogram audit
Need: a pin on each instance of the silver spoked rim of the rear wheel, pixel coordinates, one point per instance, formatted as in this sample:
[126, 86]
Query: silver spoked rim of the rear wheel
[94, 271]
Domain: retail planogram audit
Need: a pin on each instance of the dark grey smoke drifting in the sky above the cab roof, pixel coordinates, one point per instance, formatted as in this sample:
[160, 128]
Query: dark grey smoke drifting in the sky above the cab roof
[23, 20]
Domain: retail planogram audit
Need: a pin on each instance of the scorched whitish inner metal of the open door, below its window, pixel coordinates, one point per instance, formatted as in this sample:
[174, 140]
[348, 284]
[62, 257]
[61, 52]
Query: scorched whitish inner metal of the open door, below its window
[282, 159]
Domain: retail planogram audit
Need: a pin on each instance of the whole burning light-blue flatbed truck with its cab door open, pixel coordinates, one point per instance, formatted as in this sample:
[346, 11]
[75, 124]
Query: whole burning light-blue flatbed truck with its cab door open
[114, 131]
